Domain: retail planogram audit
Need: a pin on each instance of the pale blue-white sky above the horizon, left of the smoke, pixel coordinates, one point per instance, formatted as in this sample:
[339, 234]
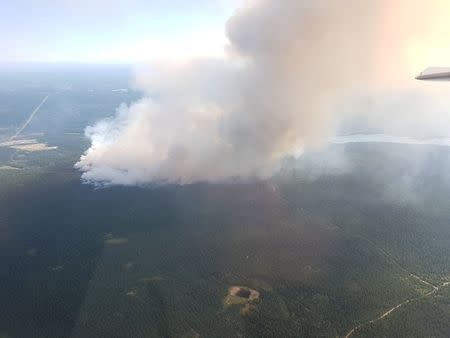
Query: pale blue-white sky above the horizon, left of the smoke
[111, 31]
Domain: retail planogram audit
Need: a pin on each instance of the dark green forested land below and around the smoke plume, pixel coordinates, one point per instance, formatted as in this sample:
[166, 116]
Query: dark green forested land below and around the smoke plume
[331, 241]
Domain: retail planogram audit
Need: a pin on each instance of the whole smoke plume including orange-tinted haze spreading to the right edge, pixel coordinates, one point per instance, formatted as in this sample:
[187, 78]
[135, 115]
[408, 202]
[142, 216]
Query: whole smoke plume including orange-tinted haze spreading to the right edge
[294, 72]
